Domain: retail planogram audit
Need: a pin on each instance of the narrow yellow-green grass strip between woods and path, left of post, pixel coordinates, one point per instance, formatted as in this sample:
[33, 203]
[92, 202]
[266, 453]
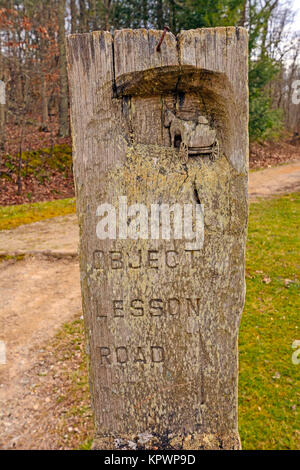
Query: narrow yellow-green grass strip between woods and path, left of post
[13, 216]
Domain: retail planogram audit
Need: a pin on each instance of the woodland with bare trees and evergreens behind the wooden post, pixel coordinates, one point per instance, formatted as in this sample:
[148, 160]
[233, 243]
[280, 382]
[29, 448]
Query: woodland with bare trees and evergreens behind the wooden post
[35, 145]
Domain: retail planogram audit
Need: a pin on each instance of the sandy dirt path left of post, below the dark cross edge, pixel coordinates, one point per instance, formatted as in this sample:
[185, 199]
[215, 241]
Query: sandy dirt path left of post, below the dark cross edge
[37, 296]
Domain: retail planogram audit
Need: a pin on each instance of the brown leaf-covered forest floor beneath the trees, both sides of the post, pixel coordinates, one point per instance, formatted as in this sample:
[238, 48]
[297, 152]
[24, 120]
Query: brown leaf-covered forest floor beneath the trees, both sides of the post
[46, 164]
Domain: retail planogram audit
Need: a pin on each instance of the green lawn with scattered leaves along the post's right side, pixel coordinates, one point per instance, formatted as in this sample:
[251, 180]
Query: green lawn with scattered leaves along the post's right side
[269, 395]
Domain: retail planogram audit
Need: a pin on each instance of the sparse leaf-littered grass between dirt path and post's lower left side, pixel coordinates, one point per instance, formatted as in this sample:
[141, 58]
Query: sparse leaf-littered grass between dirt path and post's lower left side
[64, 380]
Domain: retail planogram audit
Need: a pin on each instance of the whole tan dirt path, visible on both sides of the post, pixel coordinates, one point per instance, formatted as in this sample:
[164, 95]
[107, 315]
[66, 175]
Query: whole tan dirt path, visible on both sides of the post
[40, 293]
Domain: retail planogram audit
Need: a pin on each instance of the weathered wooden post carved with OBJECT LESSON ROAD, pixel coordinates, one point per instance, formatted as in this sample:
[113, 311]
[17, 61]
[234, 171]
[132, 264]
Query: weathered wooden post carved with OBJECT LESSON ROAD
[160, 161]
